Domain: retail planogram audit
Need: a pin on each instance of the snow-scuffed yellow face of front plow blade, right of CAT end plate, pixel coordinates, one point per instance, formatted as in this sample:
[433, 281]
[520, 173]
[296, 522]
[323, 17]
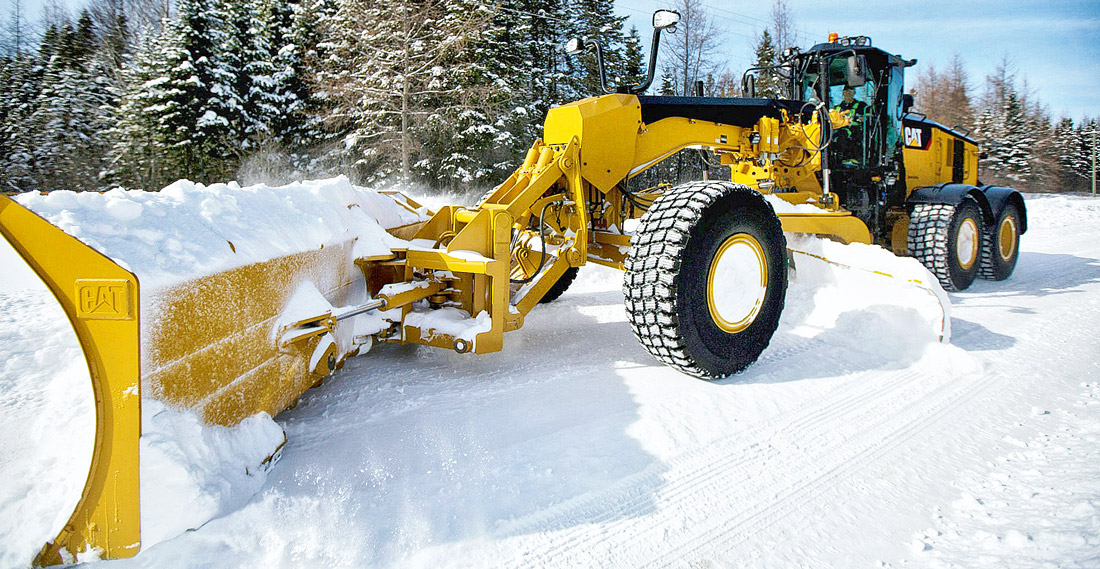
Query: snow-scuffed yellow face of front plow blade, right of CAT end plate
[211, 345]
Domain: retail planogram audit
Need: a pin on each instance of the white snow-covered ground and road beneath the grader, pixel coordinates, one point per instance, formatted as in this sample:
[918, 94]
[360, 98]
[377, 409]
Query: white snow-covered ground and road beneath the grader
[857, 441]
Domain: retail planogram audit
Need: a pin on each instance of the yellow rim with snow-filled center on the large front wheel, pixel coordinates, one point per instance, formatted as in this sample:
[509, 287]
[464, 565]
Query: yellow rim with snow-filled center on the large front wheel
[738, 283]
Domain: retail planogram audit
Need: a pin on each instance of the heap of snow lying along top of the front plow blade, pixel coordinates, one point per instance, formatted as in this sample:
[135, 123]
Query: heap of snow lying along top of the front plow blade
[190, 231]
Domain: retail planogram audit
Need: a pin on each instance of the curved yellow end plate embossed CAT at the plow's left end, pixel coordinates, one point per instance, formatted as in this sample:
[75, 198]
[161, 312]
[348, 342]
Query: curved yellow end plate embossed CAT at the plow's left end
[101, 300]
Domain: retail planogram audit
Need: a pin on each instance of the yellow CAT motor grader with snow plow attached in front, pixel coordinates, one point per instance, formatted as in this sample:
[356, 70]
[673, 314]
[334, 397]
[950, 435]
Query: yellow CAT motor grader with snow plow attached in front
[706, 264]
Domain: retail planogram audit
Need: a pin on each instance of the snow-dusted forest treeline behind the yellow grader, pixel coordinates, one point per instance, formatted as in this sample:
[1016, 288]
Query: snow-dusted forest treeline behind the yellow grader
[445, 94]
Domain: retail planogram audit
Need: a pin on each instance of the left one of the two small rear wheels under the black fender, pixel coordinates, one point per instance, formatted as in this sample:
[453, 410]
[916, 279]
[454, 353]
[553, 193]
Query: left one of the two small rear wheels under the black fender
[948, 240]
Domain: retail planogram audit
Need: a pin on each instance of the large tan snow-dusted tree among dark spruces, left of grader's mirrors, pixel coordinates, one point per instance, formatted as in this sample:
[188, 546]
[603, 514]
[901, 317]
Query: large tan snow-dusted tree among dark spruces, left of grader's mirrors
[393, 75]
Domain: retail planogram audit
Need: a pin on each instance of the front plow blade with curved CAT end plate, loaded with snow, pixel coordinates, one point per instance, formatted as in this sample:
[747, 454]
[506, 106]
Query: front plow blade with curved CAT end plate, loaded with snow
[225, 342]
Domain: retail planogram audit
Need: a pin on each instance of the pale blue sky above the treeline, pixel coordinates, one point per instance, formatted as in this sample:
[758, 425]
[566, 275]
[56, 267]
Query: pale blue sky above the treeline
[1055, 45]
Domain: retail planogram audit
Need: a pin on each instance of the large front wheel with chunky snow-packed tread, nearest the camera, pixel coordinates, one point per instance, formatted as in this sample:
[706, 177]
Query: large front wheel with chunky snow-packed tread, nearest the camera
[707, 278]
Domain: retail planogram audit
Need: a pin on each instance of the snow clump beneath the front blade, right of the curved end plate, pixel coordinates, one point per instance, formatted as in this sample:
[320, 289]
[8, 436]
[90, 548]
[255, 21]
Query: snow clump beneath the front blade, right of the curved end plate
[193, 473]
